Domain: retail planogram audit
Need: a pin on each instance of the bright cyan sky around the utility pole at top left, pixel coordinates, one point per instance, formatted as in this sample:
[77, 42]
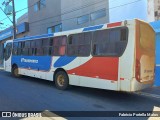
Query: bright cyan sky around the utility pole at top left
[19, 4]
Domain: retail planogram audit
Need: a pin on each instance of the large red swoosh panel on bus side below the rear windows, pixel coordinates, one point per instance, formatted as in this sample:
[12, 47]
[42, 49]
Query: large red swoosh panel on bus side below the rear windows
[98, 67]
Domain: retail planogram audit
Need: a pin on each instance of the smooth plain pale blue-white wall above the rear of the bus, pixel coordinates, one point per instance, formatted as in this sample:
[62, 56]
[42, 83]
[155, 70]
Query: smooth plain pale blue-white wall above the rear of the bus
[128, 9]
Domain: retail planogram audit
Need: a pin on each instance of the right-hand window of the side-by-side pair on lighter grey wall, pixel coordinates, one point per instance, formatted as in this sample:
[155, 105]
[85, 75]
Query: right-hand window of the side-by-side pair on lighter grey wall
[98, 14]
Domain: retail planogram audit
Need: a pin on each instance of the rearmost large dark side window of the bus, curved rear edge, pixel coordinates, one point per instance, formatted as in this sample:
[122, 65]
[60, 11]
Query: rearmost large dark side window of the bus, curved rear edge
[110, 42]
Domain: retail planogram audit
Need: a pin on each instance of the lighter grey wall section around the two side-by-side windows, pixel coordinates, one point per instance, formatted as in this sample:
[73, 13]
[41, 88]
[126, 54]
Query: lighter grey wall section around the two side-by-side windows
[72, 9]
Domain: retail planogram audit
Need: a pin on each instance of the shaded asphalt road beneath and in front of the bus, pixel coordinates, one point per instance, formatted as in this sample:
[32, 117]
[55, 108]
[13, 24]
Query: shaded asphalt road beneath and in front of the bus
[30, 94]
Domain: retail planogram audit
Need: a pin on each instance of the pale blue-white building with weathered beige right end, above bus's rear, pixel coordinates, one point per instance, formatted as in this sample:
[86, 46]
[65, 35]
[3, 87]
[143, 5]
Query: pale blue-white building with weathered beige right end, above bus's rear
[147, 10]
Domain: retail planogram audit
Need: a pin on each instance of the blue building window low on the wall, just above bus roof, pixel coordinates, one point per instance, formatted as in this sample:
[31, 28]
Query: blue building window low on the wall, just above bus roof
[54, 29]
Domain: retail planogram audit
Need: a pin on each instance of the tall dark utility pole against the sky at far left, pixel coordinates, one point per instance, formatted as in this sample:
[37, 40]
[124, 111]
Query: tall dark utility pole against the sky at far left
[14, 20]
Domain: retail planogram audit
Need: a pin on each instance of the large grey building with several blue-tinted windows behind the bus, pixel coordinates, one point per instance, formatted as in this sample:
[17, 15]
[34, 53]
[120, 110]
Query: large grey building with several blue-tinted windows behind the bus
[49, 16]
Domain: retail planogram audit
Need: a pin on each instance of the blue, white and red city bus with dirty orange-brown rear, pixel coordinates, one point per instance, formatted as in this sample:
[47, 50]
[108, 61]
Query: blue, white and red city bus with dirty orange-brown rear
[117, 56]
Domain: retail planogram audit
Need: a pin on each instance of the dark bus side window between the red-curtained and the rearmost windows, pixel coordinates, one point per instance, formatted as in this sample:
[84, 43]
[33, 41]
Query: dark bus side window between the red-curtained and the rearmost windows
[79, 44]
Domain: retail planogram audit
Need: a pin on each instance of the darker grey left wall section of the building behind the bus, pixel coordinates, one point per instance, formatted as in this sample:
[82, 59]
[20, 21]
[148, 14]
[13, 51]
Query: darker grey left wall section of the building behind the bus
[44, 18]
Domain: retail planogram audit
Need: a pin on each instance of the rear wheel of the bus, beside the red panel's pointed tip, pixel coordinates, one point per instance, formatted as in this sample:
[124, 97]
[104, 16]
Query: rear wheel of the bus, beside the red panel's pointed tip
[61, 80]
